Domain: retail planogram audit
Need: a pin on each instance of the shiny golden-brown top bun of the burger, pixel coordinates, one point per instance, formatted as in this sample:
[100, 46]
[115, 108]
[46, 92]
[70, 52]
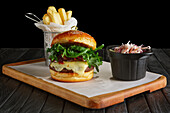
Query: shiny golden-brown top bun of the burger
[75, 37]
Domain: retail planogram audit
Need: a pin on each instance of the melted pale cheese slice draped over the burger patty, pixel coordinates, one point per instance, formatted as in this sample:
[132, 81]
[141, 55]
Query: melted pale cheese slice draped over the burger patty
[76, 66]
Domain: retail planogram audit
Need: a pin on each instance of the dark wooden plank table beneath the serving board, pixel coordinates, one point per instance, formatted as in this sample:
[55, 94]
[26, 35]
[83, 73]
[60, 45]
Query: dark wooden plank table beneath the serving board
[16, 96]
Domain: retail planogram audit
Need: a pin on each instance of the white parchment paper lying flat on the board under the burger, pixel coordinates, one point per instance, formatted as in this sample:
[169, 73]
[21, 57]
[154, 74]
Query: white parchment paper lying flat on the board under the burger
[101, 83]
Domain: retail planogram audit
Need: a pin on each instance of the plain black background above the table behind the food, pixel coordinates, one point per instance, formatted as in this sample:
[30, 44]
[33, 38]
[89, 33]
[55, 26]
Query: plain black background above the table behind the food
[108, 22]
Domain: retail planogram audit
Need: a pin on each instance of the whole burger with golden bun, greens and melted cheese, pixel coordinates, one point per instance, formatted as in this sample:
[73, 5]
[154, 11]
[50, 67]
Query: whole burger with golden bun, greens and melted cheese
[73, 56]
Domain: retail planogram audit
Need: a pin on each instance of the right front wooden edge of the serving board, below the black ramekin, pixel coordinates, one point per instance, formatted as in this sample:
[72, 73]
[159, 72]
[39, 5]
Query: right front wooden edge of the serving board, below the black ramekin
[105, 100]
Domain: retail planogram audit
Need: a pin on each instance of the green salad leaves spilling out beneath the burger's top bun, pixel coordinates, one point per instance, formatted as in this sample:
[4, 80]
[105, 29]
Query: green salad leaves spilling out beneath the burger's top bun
[91, 56]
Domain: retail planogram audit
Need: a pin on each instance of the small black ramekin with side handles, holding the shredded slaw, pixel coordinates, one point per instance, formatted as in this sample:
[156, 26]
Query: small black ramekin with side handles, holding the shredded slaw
[128, 66]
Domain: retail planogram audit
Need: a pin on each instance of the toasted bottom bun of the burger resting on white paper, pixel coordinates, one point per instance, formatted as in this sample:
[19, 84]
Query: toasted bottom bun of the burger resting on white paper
[71, 77]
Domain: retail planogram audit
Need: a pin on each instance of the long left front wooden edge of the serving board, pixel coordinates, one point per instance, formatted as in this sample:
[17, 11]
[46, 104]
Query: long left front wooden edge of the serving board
[46, 86]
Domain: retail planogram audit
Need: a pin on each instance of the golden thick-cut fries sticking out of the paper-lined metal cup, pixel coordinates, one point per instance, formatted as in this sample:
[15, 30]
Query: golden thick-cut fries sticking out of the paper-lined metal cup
[57, 17]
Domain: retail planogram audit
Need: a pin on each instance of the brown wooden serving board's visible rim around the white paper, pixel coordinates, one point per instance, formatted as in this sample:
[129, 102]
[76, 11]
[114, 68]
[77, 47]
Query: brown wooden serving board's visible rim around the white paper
[95, 102]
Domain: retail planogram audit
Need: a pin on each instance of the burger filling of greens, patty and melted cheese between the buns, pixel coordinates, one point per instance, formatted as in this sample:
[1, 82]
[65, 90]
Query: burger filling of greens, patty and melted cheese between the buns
[74, 58]
